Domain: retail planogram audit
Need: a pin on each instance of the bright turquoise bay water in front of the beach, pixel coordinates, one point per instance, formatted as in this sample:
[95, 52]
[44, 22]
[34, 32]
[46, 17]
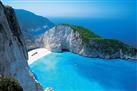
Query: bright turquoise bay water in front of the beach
[71, 72]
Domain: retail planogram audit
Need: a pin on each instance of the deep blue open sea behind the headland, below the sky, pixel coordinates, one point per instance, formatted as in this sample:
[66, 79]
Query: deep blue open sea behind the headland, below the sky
[123, 29]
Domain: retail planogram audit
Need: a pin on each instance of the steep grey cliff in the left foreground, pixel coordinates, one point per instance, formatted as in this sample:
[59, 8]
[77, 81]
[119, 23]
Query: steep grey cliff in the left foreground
[13, 53]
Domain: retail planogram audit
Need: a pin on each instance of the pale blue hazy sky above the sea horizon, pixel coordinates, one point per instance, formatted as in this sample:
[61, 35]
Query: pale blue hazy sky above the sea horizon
[77, 8]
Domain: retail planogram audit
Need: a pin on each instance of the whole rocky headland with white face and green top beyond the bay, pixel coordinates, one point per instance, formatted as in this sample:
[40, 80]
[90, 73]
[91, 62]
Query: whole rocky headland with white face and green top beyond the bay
[79, 40]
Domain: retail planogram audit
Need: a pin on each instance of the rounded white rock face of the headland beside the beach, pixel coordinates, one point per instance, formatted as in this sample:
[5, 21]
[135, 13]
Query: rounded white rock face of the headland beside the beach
[63, 38]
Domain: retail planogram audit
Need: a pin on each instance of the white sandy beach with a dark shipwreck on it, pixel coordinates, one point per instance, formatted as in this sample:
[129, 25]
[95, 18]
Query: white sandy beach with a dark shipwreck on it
[37, 54]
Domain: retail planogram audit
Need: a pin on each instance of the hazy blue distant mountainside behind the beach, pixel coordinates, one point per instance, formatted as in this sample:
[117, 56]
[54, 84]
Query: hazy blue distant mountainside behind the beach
[33, 27]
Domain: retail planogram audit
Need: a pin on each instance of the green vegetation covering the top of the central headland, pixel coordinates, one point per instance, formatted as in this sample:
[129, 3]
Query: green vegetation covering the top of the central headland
[106, 45]
